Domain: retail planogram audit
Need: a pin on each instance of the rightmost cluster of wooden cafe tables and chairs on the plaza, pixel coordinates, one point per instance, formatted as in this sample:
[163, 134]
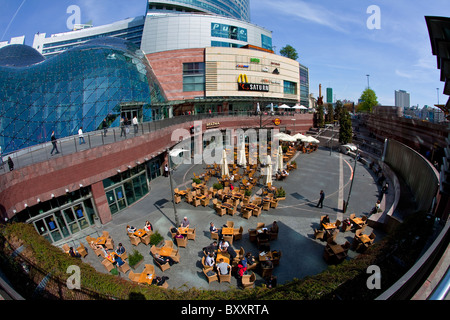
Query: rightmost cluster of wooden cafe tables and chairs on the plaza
[335, 253]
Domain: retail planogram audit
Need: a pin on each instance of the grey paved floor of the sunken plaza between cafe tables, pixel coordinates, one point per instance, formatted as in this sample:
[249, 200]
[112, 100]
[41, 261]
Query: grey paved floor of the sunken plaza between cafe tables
[297, 217]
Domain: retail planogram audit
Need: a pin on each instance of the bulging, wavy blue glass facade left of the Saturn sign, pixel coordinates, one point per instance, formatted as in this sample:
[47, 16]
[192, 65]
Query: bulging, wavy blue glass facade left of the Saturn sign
[79, 87]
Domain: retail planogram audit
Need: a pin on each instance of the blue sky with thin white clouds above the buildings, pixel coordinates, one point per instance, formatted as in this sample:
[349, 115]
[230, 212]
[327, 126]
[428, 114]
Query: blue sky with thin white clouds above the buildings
[331, 37]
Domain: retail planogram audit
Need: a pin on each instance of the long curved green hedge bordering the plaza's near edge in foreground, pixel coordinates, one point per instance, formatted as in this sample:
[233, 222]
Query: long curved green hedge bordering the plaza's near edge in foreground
[394, 254]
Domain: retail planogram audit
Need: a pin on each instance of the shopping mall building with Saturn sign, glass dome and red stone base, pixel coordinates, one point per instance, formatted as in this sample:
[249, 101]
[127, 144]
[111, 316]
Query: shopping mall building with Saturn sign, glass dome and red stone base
[180, 58]
